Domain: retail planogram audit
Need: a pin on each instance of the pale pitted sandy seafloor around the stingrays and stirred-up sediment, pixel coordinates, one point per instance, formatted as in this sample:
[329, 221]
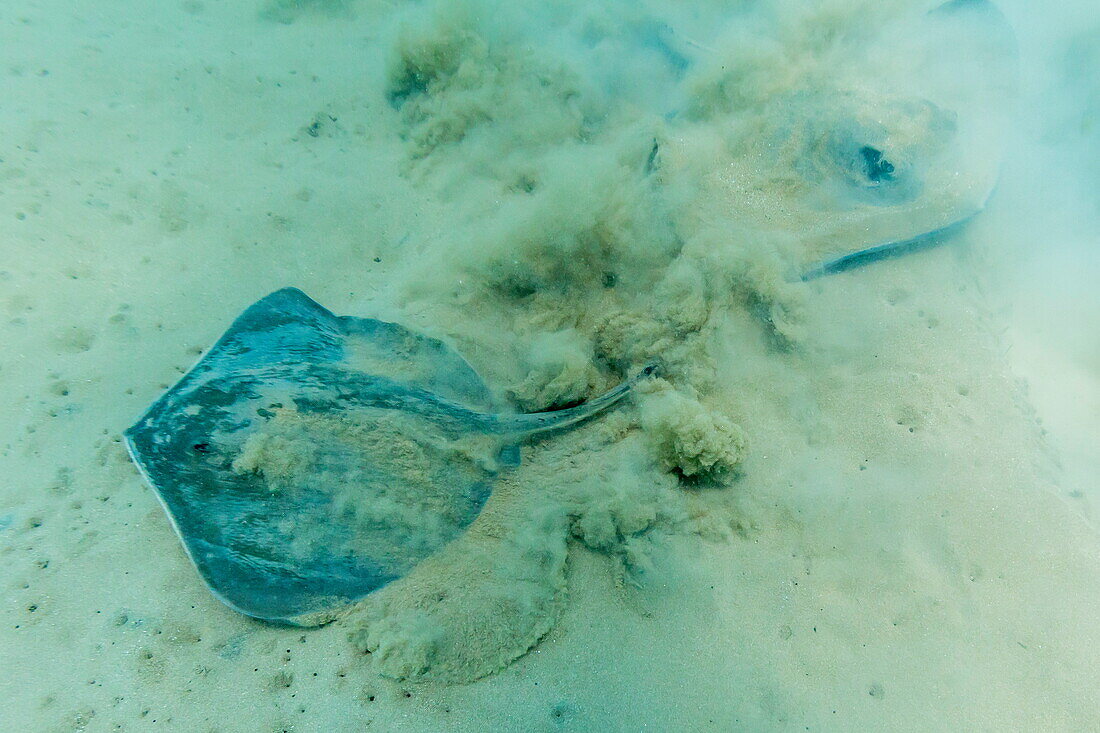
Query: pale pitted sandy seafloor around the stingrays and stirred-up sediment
[914, 542]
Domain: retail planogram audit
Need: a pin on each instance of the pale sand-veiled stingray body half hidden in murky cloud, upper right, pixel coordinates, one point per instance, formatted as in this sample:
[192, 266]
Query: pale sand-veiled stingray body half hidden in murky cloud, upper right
[909, 167]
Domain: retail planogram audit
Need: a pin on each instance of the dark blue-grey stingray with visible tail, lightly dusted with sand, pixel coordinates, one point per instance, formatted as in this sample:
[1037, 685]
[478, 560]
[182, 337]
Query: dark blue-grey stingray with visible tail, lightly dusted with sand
[310, 460]
